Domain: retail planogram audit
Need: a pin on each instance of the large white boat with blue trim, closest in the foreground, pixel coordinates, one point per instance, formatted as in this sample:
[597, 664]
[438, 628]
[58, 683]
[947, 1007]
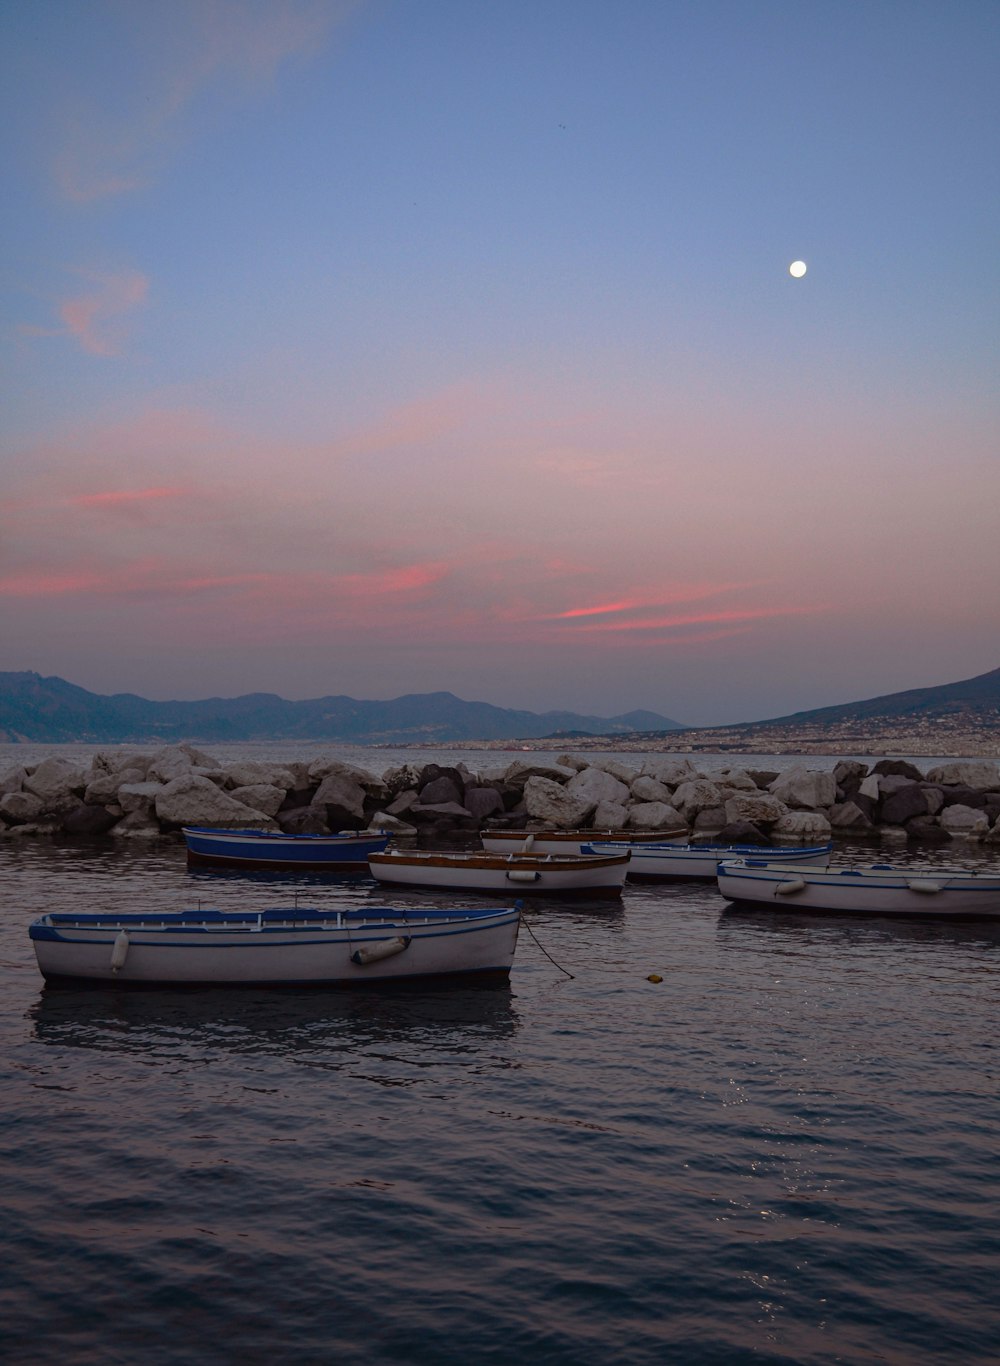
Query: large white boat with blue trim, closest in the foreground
[289, 947]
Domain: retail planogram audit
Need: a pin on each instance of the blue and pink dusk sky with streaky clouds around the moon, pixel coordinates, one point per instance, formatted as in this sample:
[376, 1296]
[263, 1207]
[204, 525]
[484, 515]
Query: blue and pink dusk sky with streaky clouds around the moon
[395, 346]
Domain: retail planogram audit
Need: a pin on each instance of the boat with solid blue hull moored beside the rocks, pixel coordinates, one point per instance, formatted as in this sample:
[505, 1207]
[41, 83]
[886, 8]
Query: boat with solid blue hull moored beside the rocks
[275, 850]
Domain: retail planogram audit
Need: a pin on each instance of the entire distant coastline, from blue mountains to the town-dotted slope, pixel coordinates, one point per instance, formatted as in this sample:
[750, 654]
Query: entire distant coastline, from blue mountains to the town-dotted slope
[956, 719]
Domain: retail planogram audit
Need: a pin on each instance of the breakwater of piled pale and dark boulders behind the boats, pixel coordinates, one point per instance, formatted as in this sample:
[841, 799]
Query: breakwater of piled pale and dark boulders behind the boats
[132, 794]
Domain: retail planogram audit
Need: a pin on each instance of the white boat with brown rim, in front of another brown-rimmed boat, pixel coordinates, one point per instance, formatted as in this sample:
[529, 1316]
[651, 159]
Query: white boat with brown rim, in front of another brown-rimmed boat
[476, 872]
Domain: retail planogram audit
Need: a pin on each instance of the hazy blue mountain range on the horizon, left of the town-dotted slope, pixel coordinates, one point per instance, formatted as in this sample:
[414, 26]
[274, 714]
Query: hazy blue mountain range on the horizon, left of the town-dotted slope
[53, 711]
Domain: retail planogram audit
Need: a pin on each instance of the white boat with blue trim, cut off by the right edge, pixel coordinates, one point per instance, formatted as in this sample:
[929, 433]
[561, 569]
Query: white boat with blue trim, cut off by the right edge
[878, 890]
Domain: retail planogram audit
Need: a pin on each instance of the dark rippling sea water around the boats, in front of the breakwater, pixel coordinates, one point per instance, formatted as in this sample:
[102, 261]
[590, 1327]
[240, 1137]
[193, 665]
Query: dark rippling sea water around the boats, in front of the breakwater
[785, 1152]
